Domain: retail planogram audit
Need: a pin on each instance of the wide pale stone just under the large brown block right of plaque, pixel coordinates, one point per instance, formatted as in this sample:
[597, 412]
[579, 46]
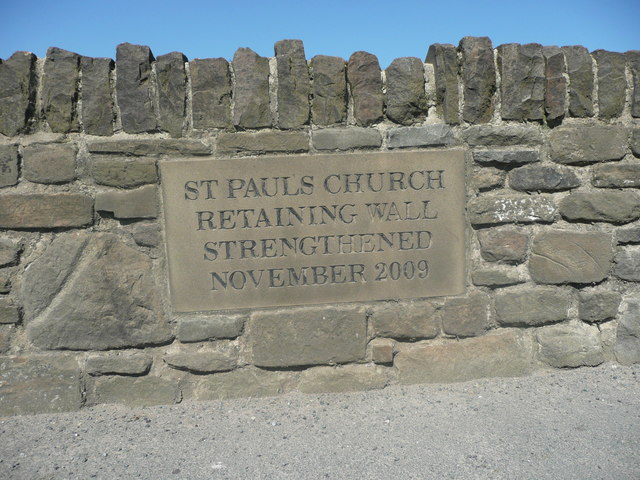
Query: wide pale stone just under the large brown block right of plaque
[531, 306]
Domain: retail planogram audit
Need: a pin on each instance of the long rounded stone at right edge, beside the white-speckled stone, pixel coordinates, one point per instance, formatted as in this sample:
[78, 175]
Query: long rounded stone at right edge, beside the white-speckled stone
[613, 206]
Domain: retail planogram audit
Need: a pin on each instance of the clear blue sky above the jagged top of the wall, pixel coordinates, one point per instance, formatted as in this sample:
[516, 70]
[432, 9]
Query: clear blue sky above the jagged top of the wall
[389, 29]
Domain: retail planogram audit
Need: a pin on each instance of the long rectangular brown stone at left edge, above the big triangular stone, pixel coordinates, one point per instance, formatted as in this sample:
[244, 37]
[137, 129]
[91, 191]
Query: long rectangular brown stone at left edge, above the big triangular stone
[19, 211]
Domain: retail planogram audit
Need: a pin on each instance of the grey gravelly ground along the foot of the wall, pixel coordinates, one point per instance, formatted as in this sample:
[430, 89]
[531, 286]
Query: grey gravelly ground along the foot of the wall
[572, 424]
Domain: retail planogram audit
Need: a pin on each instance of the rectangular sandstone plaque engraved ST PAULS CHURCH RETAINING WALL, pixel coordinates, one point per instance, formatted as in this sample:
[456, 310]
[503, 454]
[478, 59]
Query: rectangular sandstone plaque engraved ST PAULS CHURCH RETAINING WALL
[309, 229]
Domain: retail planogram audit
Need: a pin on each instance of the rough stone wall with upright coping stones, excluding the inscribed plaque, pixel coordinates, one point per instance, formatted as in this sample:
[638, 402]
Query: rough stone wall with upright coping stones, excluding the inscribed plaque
[552, 137]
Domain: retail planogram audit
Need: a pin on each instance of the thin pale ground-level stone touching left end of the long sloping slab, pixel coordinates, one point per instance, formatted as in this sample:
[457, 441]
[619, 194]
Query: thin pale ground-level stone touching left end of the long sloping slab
[343, 378]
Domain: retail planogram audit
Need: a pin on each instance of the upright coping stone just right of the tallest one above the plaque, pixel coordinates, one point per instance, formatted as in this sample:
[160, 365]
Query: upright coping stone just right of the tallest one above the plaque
[329, 90]
